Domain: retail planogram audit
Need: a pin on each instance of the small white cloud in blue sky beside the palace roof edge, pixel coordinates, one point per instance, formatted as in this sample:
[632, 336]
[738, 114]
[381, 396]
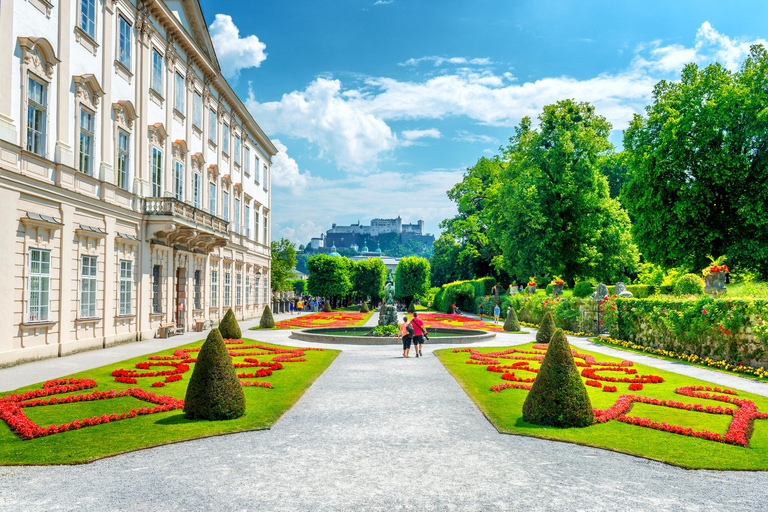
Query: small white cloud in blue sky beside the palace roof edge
[235, 53]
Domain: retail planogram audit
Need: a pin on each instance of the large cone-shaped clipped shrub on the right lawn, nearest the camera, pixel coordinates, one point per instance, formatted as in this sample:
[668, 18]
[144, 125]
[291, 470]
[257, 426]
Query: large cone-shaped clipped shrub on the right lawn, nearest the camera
[558, 396]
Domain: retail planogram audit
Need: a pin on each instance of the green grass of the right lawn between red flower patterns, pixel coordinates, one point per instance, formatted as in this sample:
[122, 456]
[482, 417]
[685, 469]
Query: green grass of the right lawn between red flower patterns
[504, 410]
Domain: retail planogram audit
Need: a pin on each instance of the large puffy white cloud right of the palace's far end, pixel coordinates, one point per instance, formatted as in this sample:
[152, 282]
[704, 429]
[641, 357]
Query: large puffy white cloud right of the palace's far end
[322, 115]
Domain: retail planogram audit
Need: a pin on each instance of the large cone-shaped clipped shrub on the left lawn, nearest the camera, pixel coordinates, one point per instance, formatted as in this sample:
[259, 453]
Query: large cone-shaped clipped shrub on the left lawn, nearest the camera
[214, 391]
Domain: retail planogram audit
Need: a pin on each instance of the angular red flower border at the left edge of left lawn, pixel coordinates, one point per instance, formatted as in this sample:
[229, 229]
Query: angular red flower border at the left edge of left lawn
[11, 407]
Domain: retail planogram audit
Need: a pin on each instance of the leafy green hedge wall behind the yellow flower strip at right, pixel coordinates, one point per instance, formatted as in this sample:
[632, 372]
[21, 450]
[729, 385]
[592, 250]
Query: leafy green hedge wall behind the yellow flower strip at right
[720, 329]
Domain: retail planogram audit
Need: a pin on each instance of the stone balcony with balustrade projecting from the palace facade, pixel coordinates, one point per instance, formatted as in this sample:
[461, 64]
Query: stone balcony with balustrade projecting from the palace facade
[175, 223]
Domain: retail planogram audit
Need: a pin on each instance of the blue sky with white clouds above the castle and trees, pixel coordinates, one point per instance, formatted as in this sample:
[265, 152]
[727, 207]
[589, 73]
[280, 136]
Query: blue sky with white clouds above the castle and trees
[378, 106]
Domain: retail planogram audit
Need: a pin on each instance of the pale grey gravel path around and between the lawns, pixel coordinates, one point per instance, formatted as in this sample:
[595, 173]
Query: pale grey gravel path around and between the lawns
[379, 432]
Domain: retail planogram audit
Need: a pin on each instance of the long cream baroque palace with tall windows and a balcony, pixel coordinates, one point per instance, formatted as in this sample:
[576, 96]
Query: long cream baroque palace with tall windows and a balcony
[134, 184]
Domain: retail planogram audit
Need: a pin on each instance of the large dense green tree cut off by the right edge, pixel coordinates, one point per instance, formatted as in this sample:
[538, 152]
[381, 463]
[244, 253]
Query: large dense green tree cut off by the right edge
[699, 160]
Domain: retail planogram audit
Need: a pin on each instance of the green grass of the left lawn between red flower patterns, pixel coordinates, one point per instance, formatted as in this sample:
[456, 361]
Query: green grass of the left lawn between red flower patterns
[263, 408]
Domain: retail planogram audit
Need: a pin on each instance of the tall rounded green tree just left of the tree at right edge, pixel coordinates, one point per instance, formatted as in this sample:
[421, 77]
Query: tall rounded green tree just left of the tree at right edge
[555, 212]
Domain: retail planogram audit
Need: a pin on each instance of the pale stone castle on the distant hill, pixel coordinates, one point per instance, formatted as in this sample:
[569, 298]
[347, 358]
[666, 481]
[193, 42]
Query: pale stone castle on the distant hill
[358, 237]
